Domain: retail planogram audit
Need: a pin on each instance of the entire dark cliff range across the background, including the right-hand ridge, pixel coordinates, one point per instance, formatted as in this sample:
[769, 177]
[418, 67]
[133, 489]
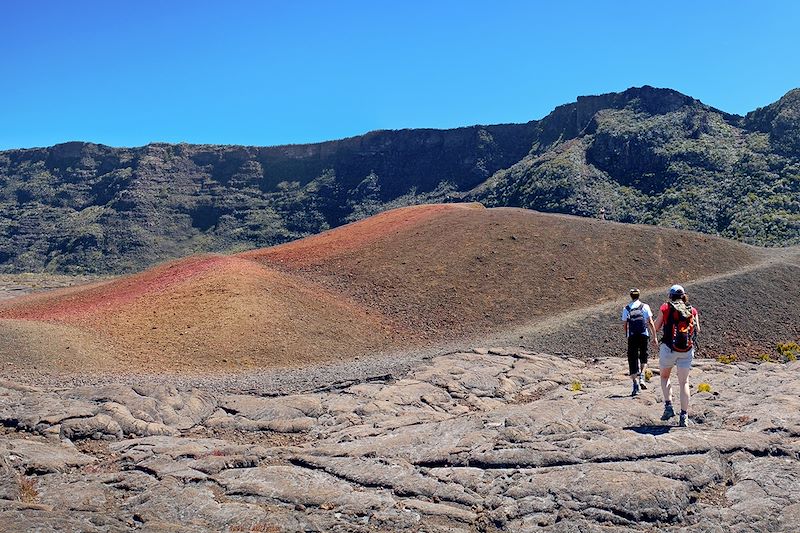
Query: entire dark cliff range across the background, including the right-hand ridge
[643, 155]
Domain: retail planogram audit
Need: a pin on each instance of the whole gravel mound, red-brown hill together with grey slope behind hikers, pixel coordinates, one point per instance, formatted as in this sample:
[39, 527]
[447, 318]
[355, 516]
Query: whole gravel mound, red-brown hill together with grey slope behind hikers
[383, 292]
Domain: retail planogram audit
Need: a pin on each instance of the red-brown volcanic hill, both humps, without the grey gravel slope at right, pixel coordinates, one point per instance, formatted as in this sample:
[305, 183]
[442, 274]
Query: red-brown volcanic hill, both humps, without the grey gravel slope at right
[407, 278]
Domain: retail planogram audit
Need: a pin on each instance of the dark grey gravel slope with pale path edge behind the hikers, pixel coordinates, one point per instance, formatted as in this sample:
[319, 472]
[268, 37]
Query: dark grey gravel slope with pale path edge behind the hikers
[596, 331]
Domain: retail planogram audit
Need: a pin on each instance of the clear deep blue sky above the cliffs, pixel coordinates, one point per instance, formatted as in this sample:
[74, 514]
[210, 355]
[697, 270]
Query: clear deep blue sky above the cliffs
[126, 73]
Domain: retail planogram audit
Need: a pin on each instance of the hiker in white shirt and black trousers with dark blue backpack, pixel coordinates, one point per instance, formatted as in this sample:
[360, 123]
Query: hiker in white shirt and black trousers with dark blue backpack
[637, 321]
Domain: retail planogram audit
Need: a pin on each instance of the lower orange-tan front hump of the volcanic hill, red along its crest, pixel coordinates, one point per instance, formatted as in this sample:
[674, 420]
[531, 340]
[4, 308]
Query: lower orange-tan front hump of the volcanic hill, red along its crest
[205, 313]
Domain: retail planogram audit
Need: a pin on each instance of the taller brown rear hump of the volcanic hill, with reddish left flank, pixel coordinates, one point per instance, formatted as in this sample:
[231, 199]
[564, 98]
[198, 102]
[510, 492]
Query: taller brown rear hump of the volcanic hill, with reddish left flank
[451, 269]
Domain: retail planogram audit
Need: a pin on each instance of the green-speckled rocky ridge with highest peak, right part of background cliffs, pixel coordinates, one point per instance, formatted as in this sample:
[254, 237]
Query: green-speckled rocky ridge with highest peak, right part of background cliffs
[656, 156]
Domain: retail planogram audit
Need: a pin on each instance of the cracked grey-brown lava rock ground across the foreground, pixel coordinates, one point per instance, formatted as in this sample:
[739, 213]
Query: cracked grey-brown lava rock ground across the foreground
[488, 440]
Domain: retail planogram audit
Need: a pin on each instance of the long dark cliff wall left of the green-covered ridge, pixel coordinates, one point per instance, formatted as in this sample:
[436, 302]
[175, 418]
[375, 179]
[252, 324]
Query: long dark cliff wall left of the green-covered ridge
[110, 209]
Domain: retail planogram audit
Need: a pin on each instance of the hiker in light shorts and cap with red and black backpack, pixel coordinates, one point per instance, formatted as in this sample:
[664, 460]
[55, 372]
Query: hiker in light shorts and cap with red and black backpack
[681, 325]
